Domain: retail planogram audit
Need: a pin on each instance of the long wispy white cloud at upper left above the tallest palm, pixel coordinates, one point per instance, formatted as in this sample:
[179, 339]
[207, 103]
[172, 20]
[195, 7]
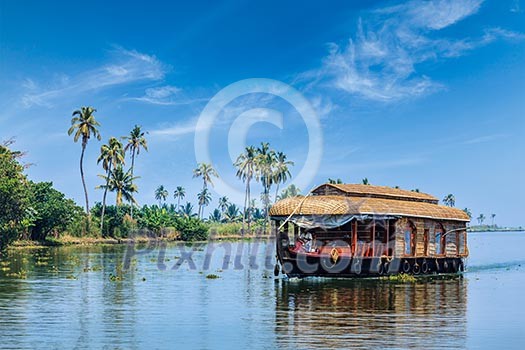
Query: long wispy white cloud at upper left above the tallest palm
[127, 66]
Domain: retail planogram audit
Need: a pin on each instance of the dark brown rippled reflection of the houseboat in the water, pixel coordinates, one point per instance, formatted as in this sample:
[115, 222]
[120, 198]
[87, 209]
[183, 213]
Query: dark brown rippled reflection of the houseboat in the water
[371, 314]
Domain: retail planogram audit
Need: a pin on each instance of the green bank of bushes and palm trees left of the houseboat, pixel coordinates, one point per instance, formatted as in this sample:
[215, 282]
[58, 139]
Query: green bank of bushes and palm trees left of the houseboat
[32, 211]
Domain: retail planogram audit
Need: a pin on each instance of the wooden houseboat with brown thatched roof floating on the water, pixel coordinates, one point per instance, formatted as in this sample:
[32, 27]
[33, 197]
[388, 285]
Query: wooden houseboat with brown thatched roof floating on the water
[352, 230]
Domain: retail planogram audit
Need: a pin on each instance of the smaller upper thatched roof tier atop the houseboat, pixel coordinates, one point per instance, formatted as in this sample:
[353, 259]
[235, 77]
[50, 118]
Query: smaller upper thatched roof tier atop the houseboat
[358, 190]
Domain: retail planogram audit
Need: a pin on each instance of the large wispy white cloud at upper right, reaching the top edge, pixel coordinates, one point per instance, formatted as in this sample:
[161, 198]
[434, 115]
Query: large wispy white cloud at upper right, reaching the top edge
[380, 62]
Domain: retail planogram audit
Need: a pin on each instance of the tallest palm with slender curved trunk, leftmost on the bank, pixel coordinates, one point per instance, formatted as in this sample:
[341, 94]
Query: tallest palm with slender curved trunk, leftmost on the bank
[84, 125]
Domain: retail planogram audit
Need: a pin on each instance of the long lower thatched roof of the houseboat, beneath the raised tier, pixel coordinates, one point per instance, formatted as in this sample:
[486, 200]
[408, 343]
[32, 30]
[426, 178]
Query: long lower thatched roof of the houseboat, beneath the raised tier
[342, 205]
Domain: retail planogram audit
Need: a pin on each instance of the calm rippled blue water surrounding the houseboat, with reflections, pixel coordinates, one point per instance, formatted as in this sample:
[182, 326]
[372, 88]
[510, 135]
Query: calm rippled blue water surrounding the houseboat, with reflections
[68, 300]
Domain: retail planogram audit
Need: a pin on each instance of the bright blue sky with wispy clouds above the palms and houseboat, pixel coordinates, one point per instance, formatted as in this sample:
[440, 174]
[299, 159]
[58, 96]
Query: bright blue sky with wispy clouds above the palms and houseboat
[426, 95]
